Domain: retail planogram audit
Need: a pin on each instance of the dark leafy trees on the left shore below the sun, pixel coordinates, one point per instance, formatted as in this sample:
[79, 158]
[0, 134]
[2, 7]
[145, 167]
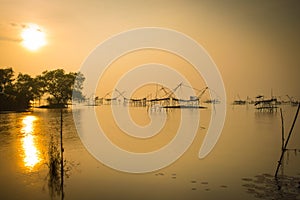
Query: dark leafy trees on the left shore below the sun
[18, 92]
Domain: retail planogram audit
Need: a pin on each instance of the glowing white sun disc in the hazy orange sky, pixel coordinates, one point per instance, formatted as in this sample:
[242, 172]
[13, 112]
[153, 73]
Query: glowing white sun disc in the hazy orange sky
[33, 37]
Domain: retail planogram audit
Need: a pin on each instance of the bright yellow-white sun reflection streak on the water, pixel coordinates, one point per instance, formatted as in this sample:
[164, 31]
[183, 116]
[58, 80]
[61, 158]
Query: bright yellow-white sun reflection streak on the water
[31, 152]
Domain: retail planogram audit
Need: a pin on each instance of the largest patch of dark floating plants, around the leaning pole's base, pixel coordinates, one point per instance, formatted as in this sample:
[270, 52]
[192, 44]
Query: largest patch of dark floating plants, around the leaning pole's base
[265, 186]
